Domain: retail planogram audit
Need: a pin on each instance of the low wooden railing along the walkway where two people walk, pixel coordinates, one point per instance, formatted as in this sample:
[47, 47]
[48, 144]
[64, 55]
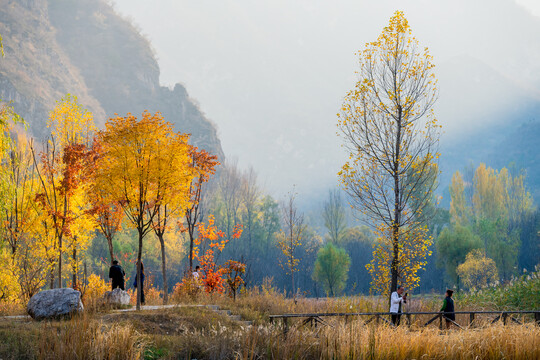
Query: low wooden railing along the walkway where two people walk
[315, 319]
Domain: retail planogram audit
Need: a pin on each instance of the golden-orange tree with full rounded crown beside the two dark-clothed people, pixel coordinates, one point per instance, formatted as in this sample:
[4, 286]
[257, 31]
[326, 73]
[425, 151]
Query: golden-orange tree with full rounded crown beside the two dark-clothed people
[144, 167]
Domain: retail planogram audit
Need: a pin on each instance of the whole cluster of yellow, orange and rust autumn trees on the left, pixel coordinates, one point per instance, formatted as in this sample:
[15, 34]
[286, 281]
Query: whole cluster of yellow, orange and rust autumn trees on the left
[138, 172]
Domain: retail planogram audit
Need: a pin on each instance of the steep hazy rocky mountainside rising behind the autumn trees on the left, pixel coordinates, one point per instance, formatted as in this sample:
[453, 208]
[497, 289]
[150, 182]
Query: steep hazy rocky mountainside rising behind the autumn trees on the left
[82, 47]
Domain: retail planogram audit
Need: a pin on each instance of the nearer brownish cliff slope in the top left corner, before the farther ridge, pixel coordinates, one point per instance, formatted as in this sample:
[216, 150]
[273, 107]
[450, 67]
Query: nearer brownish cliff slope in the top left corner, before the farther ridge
[35, 71]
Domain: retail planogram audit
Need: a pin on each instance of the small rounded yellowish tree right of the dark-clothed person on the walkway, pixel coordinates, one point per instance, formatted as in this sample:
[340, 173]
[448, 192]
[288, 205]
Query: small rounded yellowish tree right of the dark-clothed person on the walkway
[478, 270]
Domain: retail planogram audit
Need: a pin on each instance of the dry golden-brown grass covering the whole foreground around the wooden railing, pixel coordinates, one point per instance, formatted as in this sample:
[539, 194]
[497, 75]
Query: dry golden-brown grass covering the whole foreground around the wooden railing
[189, 332]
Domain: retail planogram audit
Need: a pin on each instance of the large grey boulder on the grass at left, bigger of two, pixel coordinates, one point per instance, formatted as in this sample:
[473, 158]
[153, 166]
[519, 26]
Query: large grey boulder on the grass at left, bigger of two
[55, 303]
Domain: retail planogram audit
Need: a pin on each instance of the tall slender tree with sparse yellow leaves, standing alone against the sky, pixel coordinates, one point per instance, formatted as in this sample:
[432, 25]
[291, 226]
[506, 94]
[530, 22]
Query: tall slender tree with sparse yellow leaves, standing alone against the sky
[391, 134]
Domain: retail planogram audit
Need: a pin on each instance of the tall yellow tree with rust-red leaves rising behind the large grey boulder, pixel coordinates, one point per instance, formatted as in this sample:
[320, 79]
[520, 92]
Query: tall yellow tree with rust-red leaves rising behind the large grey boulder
[62, 173]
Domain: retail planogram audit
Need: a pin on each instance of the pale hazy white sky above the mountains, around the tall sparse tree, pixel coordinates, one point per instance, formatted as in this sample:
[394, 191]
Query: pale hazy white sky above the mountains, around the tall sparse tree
[271, 74]
